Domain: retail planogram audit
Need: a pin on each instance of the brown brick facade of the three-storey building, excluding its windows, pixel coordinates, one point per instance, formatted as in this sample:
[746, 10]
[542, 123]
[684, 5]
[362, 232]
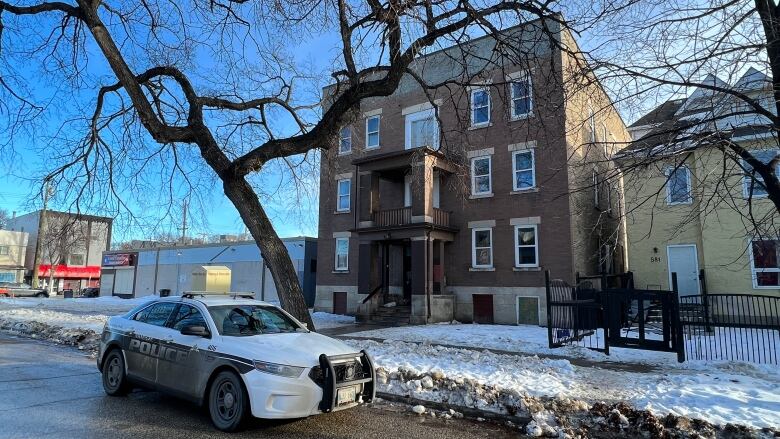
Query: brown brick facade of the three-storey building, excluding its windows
[449, 266]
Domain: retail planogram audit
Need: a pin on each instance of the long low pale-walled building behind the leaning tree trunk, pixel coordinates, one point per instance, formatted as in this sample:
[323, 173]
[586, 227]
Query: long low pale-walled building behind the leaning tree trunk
[146, 271]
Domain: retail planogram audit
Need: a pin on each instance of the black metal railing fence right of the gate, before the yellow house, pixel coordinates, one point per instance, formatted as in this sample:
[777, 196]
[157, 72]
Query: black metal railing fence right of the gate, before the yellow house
[733, 327]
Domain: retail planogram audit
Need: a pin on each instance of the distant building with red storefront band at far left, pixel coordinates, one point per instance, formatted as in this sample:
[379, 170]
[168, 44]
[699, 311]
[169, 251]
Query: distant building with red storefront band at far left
[71, 248]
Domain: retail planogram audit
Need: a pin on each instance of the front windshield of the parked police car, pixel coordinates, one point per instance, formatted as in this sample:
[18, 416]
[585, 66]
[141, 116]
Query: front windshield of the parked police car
[247, 320]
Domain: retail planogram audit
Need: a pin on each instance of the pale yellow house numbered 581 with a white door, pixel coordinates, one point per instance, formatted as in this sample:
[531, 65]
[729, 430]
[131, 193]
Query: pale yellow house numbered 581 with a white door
[693, 207]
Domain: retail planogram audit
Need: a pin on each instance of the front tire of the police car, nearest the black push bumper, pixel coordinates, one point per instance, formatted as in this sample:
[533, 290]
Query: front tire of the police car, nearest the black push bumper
[228, 402]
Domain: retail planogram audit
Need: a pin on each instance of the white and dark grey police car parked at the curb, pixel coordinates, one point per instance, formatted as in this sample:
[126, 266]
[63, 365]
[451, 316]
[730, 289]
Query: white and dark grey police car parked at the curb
[236, 355]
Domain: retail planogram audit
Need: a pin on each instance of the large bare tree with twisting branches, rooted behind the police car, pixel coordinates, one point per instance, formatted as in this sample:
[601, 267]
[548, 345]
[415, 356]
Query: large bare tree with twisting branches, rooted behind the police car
[165, 102]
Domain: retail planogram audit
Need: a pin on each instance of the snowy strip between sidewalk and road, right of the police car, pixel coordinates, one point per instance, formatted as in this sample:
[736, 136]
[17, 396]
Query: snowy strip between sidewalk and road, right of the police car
[722, 394]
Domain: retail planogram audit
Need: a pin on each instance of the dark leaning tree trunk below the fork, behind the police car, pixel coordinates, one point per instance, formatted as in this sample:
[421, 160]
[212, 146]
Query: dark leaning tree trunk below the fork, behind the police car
[271, 248]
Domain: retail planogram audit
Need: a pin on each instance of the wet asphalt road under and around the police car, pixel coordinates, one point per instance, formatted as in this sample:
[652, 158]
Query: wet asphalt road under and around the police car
[53, 391]
